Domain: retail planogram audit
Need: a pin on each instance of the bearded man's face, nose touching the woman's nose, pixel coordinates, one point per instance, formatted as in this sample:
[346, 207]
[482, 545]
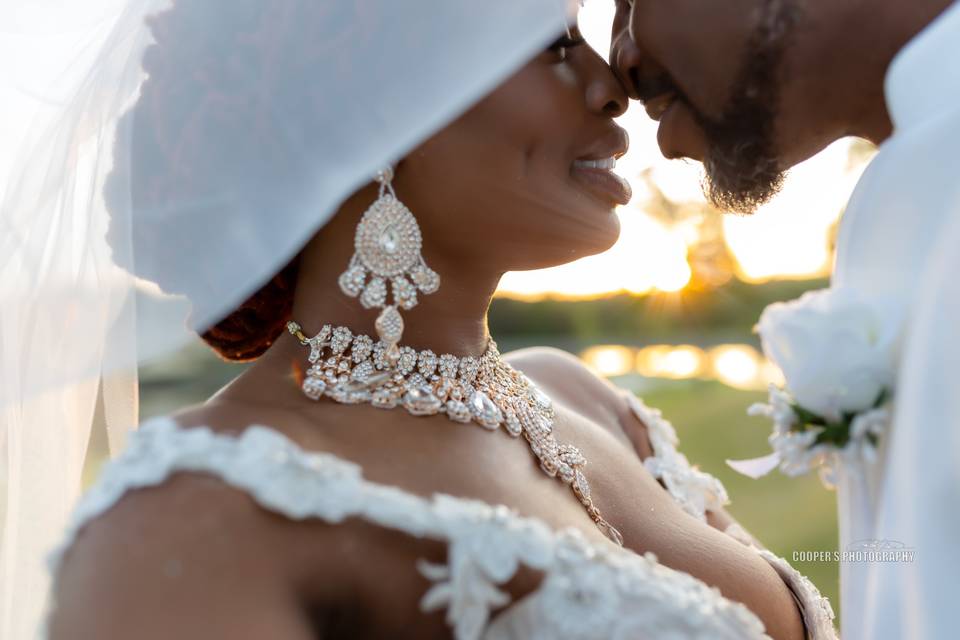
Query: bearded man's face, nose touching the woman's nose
[711, 72]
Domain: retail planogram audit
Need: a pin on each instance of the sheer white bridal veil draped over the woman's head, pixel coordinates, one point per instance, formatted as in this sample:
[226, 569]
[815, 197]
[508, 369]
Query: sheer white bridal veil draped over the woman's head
[95, 276]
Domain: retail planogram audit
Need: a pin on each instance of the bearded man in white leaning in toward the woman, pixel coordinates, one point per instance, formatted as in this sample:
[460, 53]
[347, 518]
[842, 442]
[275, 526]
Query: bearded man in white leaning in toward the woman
[752, 87]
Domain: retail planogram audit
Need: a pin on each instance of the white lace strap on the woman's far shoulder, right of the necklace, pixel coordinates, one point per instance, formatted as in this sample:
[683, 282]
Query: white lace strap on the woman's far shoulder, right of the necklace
[696, 492]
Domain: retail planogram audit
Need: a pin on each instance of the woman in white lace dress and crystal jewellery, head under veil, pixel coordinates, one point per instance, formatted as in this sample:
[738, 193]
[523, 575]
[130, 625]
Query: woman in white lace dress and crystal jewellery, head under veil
[380, 470]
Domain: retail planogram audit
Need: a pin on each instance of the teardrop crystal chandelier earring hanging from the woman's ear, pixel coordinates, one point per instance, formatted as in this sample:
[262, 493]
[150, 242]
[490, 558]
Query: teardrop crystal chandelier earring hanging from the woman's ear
[386, 256]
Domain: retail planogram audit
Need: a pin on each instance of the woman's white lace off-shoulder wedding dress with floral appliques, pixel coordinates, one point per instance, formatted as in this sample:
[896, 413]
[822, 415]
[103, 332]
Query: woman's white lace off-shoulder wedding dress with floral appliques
[588, 592]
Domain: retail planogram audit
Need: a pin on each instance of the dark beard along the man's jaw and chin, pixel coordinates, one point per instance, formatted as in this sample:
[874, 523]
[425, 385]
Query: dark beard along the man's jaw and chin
[742, 167]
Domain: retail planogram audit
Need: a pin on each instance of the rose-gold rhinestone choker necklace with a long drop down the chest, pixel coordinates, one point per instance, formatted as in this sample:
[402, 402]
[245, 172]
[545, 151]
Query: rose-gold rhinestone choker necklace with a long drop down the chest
[487, 391]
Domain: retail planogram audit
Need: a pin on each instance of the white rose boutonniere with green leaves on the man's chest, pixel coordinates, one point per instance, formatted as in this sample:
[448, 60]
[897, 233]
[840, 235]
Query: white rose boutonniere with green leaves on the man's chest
[838, 353]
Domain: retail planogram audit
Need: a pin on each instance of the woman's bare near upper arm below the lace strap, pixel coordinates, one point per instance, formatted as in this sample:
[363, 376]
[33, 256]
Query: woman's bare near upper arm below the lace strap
[184, 560]
